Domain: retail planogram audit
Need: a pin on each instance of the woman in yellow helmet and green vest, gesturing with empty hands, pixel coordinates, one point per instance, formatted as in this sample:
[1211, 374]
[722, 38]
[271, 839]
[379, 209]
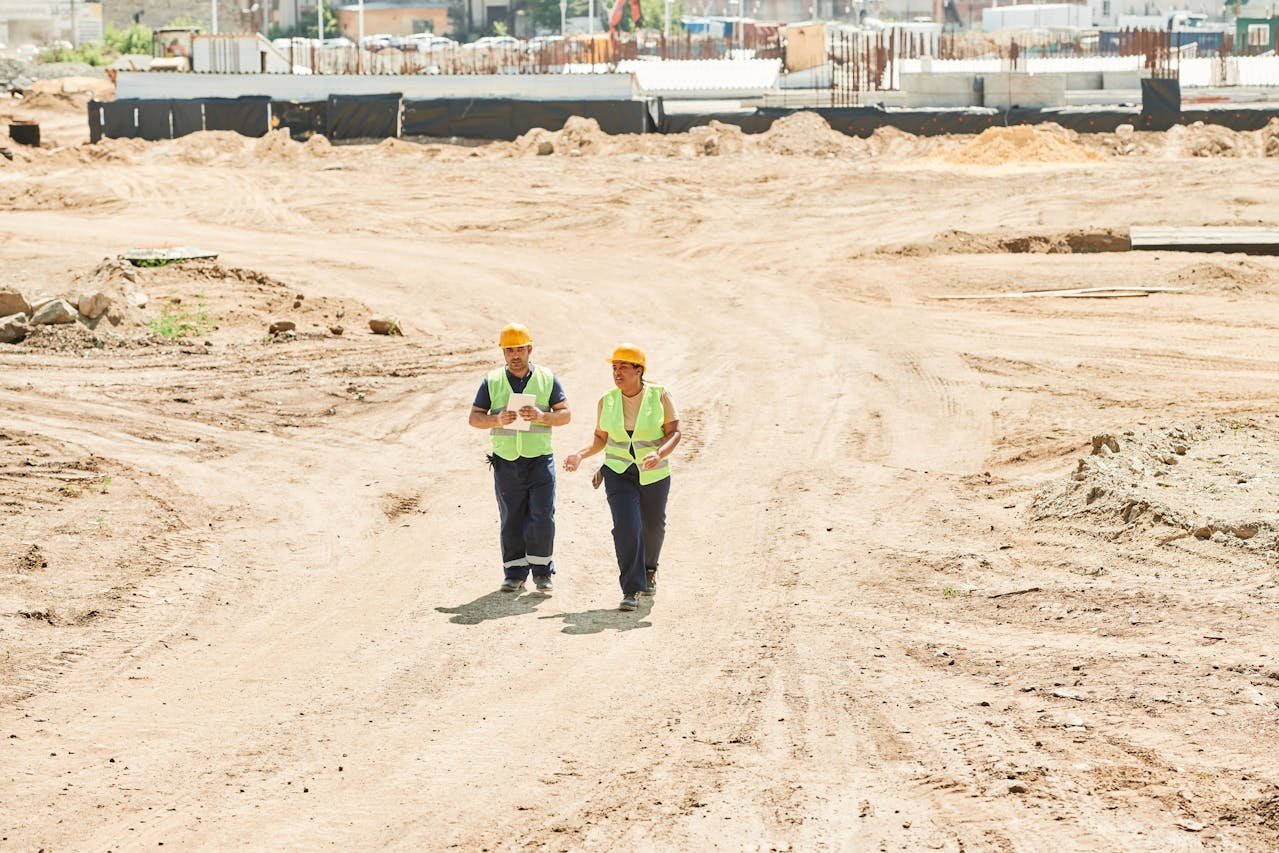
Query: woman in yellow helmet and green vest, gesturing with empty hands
[638, 428]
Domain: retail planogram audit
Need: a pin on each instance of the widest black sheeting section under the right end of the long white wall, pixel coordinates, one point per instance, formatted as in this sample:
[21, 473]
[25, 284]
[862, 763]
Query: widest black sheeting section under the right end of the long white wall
[507, 120]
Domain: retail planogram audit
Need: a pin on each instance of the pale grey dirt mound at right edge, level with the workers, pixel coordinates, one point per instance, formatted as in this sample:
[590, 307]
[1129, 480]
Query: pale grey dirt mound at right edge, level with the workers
[1213, 481]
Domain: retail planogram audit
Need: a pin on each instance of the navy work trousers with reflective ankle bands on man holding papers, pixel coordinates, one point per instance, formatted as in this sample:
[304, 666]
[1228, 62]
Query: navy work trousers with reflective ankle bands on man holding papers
[526, 505]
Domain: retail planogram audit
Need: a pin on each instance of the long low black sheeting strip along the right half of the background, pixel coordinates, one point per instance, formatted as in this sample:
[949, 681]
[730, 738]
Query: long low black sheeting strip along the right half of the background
[863, 121]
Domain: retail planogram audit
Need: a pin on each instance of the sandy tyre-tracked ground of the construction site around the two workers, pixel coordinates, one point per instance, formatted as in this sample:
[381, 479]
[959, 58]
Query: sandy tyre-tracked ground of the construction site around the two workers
[249, 583]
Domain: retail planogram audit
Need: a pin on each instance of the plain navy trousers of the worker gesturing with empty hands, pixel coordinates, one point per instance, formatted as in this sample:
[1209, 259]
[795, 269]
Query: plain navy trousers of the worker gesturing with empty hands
[639, 525]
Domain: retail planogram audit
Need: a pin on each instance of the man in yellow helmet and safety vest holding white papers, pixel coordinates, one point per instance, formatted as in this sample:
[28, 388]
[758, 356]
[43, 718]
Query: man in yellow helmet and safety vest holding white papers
[524, 471]
